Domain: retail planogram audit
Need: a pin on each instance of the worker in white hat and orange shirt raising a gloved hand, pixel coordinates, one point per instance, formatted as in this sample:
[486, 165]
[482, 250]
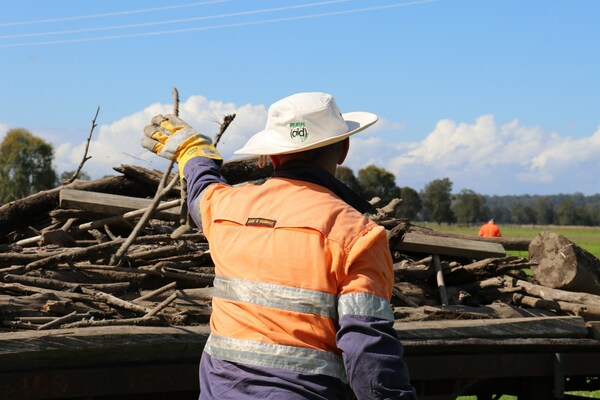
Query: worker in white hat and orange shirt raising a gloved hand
[303, 280]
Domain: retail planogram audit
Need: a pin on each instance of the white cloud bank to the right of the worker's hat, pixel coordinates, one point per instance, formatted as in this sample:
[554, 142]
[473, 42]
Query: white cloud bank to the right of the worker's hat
[498, 159]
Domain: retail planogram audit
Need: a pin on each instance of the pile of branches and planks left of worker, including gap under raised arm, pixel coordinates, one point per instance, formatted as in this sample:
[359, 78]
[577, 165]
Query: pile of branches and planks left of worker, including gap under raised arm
[79, 255]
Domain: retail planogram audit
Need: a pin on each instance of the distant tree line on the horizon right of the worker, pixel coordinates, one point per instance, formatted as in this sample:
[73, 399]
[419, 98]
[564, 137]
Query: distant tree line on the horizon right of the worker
[436, 202]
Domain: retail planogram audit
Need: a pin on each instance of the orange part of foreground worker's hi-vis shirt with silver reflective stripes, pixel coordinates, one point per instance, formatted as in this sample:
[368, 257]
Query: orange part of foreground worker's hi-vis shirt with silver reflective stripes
[290, 260]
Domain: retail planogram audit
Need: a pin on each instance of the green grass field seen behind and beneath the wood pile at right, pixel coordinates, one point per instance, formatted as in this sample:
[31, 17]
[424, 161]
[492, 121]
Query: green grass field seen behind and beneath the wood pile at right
[587, 238]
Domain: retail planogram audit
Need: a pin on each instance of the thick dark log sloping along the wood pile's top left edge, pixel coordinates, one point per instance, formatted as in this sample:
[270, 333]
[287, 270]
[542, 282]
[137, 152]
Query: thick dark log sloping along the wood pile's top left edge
[27, 211]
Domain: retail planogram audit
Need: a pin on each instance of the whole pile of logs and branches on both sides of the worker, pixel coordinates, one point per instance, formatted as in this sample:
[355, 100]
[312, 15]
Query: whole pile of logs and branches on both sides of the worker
[120, 251]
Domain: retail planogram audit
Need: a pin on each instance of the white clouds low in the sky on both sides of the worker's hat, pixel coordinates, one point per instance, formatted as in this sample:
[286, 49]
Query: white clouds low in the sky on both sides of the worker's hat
[482, 155]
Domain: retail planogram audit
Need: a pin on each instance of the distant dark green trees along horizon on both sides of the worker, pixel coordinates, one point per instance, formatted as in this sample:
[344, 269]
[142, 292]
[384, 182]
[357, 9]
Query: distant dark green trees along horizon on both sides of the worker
[26, 168]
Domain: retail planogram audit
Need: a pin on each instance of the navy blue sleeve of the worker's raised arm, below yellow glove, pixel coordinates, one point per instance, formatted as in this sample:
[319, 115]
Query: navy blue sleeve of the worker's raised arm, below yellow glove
[200, 172]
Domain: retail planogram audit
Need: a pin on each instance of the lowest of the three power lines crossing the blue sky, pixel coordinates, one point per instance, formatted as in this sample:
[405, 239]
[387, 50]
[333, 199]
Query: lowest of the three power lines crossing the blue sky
[222, 26]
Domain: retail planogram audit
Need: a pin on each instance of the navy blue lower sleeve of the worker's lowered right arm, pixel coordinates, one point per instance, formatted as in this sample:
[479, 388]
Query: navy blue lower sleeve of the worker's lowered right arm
[373, 358]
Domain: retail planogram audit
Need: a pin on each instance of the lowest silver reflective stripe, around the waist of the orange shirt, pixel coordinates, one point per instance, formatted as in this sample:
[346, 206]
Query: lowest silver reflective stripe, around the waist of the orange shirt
[291, 358]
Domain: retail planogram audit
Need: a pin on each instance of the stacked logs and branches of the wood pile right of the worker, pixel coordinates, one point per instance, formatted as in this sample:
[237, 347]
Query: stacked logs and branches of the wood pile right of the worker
[470, 282]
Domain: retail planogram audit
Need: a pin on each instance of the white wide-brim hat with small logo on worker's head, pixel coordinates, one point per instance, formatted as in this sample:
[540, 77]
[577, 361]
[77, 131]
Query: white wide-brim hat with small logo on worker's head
[305, 121]
